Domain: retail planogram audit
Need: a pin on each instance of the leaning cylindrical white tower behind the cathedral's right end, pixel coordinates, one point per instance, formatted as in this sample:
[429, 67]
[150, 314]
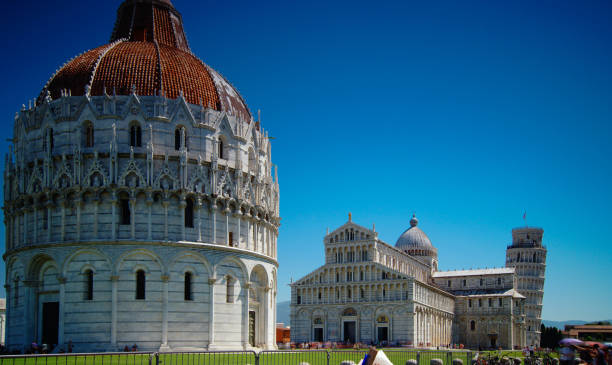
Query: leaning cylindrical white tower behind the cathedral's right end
[528, 257]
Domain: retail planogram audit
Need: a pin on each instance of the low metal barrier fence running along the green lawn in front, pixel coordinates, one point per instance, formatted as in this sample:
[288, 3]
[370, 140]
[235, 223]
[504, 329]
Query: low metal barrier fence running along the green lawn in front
[282, 357]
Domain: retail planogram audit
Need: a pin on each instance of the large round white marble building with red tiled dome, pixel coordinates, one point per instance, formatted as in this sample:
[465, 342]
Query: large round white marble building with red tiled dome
[141, 203]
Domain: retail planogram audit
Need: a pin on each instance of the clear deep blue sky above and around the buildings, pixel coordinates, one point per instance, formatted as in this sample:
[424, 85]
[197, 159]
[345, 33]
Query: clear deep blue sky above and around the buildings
[466, 113]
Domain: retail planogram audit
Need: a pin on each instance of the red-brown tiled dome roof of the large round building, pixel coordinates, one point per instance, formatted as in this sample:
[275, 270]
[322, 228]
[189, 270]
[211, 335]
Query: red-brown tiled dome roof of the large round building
[148, 51]
